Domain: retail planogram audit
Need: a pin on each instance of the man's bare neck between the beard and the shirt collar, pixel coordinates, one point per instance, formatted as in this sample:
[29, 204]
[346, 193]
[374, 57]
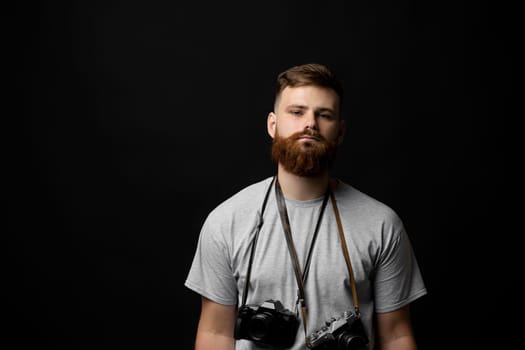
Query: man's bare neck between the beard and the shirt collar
[302, 188]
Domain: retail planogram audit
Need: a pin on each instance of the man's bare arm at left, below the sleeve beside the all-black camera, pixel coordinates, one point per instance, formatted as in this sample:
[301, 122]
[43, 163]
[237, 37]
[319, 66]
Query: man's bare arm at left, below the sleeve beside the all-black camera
[216, 325]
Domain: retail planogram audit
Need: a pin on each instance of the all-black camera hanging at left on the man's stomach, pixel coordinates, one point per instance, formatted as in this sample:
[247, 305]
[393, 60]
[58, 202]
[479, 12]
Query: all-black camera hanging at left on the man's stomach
[269, 323]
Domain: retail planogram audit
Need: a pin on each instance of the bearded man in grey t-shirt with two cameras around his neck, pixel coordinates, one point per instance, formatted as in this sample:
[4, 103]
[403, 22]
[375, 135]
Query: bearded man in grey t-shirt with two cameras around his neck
[290, 254]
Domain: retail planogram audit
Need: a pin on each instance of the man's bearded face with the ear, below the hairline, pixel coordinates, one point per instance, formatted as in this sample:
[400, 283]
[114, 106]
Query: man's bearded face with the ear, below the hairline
[307, 128]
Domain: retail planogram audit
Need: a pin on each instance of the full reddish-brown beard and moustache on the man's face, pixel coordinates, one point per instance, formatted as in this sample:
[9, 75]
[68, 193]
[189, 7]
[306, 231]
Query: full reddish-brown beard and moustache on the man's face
[304, 158]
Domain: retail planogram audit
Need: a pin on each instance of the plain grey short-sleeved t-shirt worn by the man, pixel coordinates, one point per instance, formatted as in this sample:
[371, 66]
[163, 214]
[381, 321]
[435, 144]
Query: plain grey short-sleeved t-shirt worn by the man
[385, 268]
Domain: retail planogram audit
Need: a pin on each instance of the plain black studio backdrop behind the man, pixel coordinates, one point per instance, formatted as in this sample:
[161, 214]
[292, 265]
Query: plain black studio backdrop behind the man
[132, 120]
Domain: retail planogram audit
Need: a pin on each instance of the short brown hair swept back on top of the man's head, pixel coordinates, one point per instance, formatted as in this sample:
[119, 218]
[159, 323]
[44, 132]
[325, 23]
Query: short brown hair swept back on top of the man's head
[308, 74]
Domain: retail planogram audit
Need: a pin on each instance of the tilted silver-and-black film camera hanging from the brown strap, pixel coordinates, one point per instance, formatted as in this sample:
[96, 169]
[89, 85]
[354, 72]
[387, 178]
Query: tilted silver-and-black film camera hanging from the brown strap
[343, 333]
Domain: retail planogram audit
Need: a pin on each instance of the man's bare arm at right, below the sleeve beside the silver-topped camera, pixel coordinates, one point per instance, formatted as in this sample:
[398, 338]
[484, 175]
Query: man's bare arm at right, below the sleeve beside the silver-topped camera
[394, 330]
